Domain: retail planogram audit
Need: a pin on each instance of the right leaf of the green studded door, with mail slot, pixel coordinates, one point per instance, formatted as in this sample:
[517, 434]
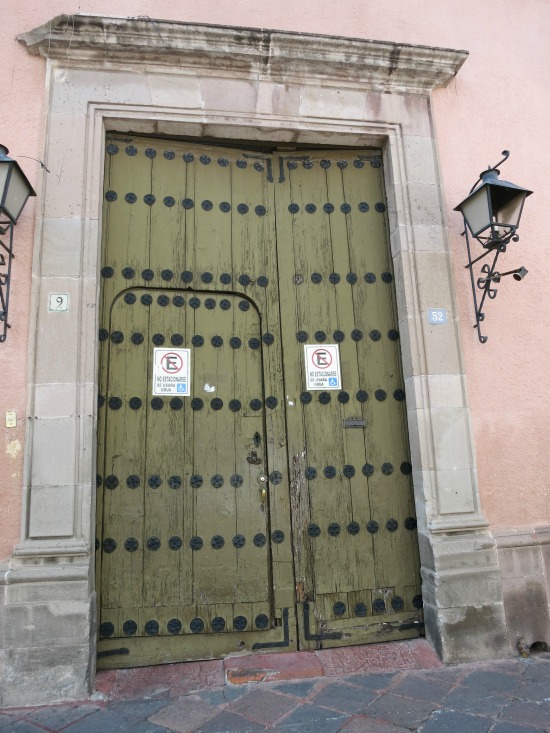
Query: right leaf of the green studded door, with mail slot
[356, 551]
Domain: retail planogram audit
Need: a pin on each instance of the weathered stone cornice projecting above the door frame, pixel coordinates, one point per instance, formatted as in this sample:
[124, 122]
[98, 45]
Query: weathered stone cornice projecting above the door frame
[247, 52]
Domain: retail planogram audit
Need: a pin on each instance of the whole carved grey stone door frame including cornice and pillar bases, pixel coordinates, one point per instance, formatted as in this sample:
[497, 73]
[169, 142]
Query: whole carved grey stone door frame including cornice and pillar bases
[214, 82]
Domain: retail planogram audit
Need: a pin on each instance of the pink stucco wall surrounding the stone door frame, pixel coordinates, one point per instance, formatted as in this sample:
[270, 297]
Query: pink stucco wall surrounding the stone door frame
[499, 100]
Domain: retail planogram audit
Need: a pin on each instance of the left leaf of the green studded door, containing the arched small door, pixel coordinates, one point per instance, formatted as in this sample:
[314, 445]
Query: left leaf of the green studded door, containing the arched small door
[194, 542]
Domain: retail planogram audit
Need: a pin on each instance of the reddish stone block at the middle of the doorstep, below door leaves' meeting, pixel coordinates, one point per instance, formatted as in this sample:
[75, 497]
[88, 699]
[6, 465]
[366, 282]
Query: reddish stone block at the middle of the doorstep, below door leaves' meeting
[260, 667]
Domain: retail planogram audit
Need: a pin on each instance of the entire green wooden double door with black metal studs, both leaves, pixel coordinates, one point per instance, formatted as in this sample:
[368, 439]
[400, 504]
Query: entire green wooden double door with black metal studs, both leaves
[249, 512]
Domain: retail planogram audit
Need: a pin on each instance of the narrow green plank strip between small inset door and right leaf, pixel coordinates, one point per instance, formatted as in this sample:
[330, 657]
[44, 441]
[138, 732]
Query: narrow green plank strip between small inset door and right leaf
[255, 256]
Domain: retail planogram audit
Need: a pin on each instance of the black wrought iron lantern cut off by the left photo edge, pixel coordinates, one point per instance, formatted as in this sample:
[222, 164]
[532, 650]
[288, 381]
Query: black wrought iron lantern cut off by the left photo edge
[15, 189]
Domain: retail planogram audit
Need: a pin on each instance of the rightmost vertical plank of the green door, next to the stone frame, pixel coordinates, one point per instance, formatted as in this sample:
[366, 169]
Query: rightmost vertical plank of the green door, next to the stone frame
[381, 369]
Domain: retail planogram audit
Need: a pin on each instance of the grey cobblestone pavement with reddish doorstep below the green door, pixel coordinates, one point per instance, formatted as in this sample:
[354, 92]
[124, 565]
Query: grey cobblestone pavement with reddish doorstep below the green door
[377, 689]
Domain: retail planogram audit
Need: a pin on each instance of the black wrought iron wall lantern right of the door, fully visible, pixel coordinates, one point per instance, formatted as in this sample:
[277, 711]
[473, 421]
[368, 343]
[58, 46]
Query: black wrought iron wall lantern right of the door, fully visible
[491, 212]
